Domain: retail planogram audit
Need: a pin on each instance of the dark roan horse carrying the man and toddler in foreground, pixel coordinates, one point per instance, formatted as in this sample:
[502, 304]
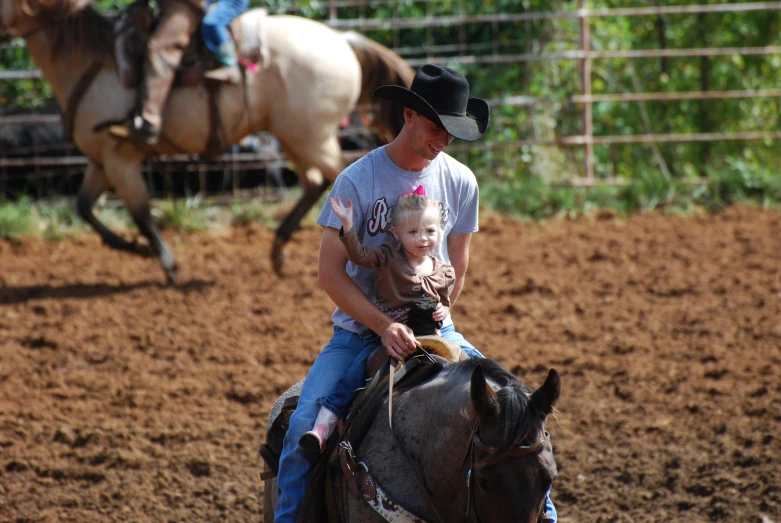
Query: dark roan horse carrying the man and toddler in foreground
[467, 443]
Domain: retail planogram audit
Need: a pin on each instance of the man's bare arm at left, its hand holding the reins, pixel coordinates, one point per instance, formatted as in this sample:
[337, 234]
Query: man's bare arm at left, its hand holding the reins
[397, 338]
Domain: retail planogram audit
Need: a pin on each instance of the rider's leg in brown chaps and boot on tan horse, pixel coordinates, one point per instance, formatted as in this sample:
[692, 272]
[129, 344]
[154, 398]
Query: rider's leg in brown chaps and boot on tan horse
[177, 23]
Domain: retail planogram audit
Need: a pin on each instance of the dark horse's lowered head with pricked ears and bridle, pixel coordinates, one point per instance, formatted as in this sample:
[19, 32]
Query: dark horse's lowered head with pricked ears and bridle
[511, 466]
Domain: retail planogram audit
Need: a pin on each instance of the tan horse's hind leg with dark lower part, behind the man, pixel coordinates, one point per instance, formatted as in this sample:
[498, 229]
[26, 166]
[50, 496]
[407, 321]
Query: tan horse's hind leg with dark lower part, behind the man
[317, 167]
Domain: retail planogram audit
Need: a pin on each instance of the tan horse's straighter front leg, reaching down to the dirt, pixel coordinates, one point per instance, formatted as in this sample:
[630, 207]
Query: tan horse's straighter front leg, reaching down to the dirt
[125, 177]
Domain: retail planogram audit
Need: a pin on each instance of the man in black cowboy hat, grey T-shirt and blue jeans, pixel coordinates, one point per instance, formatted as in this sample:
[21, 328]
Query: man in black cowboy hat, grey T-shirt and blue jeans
[437, 108]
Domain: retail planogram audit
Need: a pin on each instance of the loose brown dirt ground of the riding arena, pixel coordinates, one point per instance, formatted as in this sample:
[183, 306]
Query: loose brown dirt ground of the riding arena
[125, 400]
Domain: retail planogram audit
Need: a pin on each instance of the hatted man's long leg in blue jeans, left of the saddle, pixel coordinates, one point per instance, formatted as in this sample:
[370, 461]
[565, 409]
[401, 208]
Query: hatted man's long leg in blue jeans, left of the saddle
[295, 469]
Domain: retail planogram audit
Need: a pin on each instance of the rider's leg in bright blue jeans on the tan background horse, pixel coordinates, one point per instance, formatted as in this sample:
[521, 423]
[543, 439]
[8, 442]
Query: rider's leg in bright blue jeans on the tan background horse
[217, 38]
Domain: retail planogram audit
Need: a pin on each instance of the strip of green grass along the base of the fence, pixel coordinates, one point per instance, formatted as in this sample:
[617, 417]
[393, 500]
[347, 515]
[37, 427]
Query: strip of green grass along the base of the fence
[528, 198]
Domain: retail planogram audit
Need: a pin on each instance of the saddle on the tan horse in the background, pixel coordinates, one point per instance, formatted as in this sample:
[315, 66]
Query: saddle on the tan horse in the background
[136, 22]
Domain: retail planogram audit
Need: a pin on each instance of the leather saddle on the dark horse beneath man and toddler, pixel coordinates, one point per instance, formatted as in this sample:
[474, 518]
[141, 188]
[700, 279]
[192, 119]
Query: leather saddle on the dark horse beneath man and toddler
[351, 430]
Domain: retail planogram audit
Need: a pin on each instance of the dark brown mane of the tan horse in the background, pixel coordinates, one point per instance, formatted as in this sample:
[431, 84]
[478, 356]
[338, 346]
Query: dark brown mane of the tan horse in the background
[78, 25]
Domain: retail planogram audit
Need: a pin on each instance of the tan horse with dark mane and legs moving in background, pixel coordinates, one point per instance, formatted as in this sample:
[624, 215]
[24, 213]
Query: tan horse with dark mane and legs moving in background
[312, 77]
